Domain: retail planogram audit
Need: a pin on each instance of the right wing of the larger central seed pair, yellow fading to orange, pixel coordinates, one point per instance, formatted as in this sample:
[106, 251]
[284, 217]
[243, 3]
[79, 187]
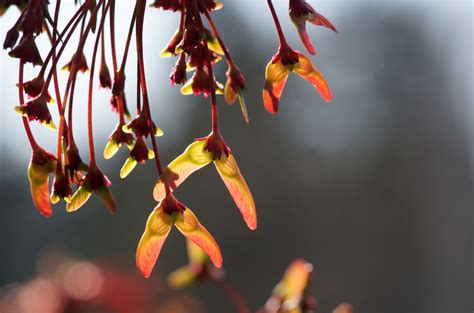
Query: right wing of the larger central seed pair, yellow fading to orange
[238, 188]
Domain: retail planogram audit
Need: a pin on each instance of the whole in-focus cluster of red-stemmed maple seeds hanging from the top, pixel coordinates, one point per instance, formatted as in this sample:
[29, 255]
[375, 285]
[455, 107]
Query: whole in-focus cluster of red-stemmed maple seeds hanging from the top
[197, 49]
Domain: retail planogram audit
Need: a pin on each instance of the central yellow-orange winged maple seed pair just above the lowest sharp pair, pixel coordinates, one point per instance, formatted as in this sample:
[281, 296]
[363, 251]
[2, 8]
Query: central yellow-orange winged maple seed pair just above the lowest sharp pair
[199, 154]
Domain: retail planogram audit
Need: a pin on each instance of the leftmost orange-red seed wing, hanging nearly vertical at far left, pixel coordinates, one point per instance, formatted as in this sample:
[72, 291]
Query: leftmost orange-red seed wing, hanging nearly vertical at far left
[39, 186]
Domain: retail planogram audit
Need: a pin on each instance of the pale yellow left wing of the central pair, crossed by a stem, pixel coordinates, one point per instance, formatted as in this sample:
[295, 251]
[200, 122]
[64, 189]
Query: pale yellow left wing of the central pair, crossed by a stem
[192, 159]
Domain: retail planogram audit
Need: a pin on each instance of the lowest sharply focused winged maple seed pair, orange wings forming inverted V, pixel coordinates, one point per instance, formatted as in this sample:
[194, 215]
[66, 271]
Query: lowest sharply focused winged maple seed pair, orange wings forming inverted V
[171, 212]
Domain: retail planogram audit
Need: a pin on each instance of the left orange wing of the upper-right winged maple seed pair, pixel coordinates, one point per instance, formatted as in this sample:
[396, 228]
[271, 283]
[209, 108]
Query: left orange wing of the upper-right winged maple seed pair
[276, 75]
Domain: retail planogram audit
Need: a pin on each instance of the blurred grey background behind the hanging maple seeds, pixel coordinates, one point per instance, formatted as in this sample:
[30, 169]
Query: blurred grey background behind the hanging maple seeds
[375, 189]
